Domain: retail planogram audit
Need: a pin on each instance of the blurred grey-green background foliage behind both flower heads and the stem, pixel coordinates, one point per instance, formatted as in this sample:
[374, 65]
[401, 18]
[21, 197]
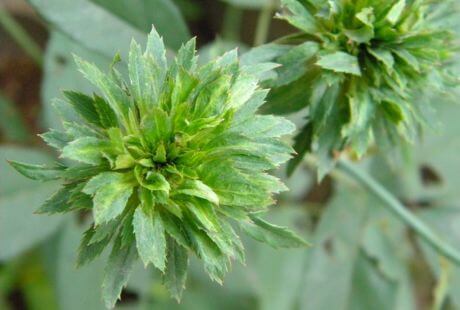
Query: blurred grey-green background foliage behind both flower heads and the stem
[361, 257]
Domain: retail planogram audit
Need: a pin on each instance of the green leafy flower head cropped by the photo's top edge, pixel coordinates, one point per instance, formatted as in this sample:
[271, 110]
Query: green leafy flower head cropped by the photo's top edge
[358, 66]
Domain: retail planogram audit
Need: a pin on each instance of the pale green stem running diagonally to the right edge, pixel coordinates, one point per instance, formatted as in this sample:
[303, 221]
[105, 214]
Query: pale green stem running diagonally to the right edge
[397, 208]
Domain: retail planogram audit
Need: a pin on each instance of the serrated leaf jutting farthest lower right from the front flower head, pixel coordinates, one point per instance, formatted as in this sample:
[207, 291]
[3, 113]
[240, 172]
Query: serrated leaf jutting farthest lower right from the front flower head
[275, 236]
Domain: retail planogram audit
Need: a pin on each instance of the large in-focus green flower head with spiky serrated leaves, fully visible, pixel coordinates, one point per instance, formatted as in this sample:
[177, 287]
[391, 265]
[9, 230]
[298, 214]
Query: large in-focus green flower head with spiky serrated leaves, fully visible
[168, 163]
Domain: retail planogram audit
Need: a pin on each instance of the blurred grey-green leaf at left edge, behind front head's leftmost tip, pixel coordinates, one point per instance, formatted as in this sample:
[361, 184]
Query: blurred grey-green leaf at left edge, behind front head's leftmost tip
[20, 229]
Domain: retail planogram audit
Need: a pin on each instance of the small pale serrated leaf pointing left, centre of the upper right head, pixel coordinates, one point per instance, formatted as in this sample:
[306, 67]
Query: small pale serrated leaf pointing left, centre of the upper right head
[340, 62]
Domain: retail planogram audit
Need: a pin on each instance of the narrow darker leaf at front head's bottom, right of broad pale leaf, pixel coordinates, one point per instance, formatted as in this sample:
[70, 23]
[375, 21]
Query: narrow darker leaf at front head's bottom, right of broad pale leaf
[176, 269]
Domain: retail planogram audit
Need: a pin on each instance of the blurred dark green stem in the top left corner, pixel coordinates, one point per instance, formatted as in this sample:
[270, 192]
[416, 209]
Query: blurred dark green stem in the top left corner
[22, 38]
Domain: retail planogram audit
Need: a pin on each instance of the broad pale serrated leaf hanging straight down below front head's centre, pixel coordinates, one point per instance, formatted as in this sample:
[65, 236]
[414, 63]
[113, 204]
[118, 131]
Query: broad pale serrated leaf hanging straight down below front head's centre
[150, 237]
